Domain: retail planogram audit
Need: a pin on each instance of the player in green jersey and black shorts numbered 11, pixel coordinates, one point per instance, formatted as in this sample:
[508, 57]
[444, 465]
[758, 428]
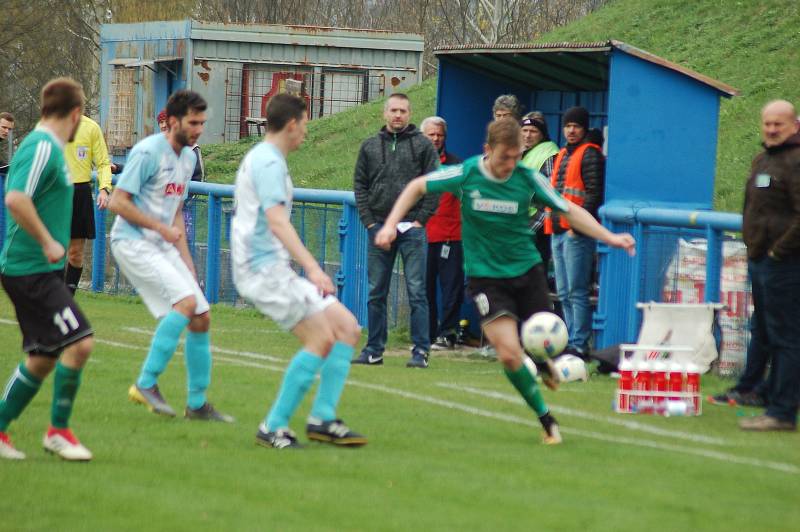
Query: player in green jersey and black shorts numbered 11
[39, 201]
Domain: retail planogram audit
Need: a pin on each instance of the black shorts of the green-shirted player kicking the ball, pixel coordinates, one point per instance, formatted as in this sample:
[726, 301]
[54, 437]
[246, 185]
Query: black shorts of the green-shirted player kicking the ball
[517, 297]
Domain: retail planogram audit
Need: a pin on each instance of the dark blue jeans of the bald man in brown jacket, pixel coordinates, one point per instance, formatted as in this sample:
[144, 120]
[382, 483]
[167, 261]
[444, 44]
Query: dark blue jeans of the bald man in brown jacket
[776, 297]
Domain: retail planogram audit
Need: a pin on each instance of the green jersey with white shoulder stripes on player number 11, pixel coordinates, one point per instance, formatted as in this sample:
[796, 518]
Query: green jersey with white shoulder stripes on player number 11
[38, 170]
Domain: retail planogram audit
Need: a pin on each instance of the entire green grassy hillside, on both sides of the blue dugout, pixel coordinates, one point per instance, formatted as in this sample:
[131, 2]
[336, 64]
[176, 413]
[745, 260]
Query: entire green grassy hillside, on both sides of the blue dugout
[750, 44]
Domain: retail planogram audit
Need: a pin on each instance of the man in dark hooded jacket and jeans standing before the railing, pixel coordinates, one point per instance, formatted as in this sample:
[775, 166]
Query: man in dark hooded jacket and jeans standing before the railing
[386, 163]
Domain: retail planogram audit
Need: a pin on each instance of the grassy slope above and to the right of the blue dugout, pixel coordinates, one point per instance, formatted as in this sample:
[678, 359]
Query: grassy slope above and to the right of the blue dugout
[750, 44]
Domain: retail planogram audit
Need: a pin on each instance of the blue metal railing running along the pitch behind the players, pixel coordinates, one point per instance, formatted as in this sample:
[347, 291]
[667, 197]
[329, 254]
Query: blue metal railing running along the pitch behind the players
[326, 218]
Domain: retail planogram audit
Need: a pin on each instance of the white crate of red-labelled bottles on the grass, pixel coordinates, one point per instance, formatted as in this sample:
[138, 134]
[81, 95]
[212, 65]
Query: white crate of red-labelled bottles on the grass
[658, 387]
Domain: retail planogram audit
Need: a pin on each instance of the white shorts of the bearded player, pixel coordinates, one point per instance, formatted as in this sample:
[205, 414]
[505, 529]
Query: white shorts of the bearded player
[159, 275]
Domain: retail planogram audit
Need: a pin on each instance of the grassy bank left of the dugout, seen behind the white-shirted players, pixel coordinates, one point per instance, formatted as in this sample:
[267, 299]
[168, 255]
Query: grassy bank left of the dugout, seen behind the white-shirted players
[328, 157]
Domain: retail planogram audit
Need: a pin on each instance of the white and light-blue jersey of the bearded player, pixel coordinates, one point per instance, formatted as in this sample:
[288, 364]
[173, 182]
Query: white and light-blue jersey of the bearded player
[158, 180]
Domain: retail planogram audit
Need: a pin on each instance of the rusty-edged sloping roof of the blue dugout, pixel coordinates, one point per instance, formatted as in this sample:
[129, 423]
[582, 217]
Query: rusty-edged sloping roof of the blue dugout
[577, 66]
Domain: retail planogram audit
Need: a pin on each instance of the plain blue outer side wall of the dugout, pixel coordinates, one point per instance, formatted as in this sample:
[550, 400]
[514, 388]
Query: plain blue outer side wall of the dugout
[662, 144]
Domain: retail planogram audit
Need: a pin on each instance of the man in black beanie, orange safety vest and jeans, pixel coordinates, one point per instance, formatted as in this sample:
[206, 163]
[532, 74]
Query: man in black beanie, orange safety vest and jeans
[579, 175]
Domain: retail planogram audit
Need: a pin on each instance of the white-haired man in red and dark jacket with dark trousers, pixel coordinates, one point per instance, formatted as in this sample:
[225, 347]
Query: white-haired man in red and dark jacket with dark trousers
[445, 254]
